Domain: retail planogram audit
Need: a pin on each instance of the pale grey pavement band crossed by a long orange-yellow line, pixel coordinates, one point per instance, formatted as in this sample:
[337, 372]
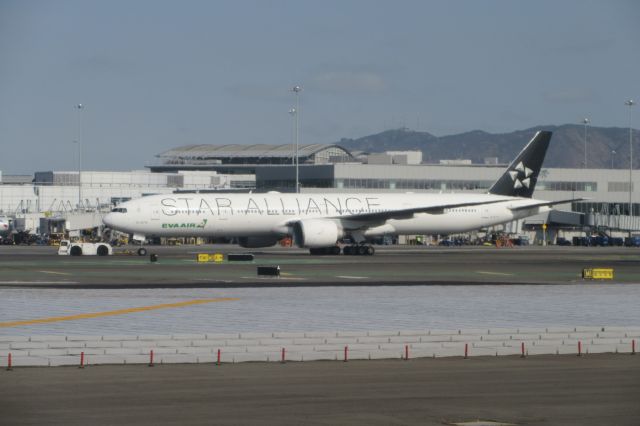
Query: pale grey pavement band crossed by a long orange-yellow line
[168, 311]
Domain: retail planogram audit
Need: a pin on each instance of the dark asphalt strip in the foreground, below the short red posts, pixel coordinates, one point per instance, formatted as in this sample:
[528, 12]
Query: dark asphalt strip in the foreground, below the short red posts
[542, 390]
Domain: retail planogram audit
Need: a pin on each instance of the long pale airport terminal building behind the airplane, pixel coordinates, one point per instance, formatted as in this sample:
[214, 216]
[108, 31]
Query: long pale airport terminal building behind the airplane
[606, 193]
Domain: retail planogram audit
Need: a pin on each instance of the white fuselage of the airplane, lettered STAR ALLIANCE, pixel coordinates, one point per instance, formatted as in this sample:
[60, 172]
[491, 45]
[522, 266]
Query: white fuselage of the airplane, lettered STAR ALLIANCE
[271, 214]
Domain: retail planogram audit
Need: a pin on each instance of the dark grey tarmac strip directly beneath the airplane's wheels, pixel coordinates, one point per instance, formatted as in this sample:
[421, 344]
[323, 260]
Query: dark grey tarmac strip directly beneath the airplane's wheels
[177, 267]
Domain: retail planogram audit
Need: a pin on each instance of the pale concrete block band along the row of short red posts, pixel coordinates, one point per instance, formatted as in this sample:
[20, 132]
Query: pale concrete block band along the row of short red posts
[322, 345]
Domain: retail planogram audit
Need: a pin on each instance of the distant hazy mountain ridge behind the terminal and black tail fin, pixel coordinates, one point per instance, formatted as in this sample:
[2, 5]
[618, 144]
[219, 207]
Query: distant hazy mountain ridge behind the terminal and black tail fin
[566, 149]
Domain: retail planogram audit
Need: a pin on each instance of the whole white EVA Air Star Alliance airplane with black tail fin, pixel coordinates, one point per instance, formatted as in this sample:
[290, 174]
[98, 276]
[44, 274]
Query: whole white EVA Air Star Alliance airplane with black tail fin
[319, 222]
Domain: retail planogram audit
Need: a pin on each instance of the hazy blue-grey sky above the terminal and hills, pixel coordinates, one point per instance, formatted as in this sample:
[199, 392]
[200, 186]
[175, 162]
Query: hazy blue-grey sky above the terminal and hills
[160, 74]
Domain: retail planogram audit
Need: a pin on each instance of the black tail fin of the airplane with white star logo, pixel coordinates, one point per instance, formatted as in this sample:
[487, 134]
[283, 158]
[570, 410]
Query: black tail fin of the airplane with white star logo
[519, 180]
